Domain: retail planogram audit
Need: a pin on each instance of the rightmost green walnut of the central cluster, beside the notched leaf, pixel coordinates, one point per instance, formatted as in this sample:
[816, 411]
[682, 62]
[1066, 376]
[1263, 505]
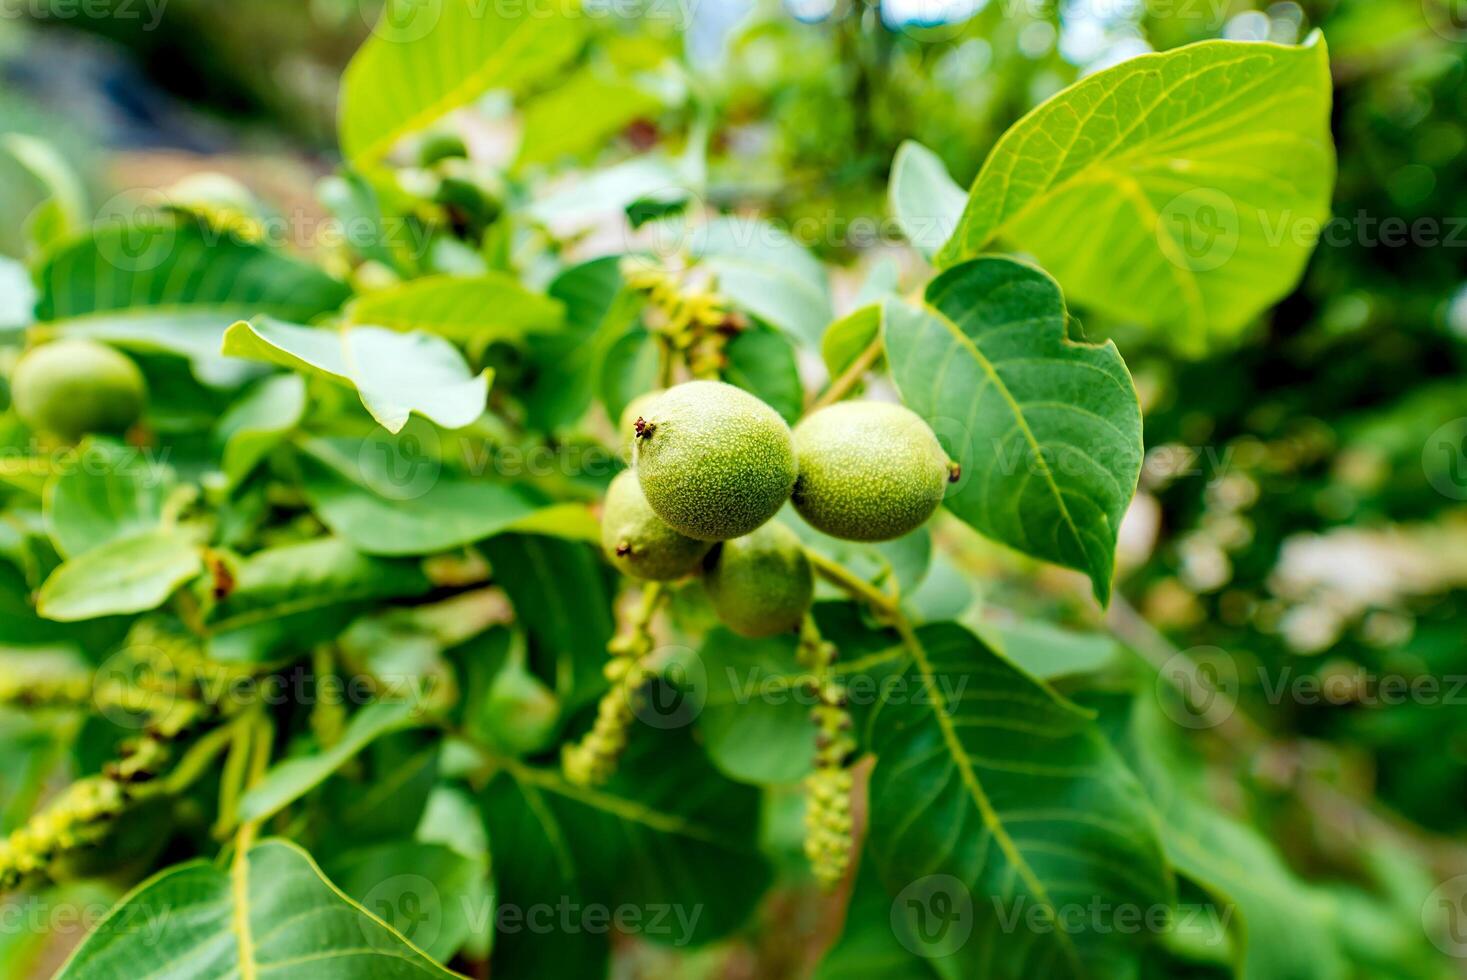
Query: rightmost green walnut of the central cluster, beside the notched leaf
[869, 472]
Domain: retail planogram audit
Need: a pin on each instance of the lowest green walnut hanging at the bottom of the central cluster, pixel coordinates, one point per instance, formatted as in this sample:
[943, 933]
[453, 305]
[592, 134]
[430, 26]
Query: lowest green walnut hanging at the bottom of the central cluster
[762, 583]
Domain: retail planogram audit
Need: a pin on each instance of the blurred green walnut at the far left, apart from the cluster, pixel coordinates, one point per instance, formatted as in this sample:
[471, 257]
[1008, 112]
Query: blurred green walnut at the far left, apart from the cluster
[73, 388]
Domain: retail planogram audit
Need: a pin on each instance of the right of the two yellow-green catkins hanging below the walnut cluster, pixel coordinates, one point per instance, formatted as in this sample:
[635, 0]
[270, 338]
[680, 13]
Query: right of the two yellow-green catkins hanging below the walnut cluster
[828, 787]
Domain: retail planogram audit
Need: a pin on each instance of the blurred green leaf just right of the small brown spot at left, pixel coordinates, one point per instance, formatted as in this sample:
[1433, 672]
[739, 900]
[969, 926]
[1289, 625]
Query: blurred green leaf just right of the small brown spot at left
[299, 595]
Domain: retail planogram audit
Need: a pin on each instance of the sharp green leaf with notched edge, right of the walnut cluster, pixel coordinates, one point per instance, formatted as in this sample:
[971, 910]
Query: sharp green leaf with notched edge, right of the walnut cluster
[1048, 432]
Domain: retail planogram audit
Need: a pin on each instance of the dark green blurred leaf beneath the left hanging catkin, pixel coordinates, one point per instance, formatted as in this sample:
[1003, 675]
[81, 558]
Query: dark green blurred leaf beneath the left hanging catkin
[668, 843]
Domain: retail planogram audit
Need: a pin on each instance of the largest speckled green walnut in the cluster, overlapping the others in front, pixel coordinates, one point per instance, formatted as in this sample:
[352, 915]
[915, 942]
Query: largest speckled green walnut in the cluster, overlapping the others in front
[714, 461]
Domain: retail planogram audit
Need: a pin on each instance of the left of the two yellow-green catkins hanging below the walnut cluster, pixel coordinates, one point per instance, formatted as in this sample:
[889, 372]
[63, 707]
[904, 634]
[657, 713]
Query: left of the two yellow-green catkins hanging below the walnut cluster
[593, 761]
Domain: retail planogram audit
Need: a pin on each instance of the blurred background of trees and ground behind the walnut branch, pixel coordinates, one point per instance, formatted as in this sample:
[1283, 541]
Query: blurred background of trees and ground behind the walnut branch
[1290, 516]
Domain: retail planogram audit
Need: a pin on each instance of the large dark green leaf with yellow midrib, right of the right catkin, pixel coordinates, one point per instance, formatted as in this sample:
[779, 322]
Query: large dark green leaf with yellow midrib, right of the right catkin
[994, 794]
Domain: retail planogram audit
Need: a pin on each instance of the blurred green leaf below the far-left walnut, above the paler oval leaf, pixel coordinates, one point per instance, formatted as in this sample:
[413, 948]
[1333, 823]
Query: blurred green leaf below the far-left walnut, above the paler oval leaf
[111, 492]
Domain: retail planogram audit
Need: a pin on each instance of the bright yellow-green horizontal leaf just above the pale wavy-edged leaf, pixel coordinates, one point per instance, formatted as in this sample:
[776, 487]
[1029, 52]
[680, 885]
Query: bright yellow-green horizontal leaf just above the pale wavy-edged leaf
[463, 309]
